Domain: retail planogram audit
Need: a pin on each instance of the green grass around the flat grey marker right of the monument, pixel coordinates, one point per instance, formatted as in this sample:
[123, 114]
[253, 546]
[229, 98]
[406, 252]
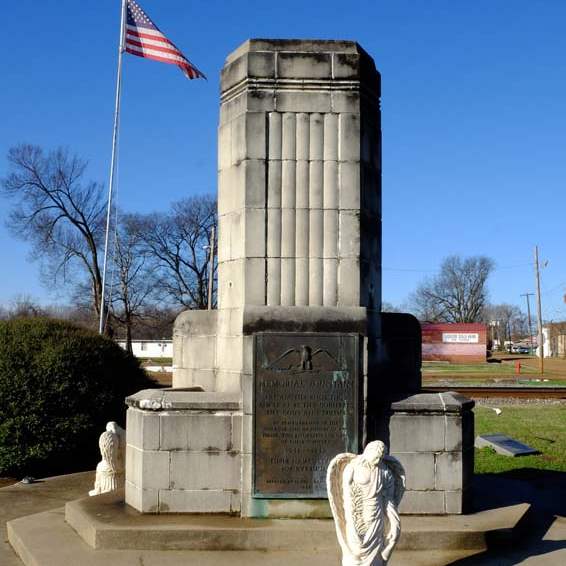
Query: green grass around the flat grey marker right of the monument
[540, 426]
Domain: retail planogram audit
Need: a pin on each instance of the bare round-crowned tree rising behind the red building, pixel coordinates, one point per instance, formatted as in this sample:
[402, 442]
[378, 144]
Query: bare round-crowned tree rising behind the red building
[457, 293]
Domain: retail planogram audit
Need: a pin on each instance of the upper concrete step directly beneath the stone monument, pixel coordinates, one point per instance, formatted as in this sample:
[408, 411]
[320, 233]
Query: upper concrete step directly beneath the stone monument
[105, 522]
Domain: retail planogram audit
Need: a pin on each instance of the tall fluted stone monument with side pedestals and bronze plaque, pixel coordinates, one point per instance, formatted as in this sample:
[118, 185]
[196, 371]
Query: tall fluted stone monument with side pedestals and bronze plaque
[297, 363]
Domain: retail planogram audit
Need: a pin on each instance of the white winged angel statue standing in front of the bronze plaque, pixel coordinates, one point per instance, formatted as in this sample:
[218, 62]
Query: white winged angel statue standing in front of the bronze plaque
[364, 492]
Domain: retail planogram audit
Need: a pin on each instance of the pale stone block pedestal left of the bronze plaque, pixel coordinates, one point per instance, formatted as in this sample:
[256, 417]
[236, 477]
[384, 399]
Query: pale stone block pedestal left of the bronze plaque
[183, 452]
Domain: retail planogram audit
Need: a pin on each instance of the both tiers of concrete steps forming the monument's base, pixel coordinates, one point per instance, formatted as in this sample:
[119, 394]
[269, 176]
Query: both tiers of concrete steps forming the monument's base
[114, 533]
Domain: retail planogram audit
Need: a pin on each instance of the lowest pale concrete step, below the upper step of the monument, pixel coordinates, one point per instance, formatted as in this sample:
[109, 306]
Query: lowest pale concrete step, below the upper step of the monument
[45, 539]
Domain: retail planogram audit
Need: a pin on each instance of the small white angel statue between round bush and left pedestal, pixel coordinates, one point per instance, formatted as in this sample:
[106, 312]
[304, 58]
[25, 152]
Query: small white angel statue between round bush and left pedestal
[110, 470]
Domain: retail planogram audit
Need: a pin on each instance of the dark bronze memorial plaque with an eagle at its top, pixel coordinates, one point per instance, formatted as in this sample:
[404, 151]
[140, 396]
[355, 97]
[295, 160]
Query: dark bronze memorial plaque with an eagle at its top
[306, 410]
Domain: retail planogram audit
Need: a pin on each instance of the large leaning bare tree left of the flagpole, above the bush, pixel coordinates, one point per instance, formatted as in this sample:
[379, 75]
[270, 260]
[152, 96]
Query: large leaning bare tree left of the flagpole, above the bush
[58, 213]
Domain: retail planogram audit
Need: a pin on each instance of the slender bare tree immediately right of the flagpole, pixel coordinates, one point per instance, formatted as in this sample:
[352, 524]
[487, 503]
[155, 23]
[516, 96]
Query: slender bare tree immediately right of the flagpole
[134, 277]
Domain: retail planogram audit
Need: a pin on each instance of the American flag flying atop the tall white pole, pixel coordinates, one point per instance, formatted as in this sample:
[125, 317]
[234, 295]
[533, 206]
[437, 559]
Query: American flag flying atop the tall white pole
[143, 38]
